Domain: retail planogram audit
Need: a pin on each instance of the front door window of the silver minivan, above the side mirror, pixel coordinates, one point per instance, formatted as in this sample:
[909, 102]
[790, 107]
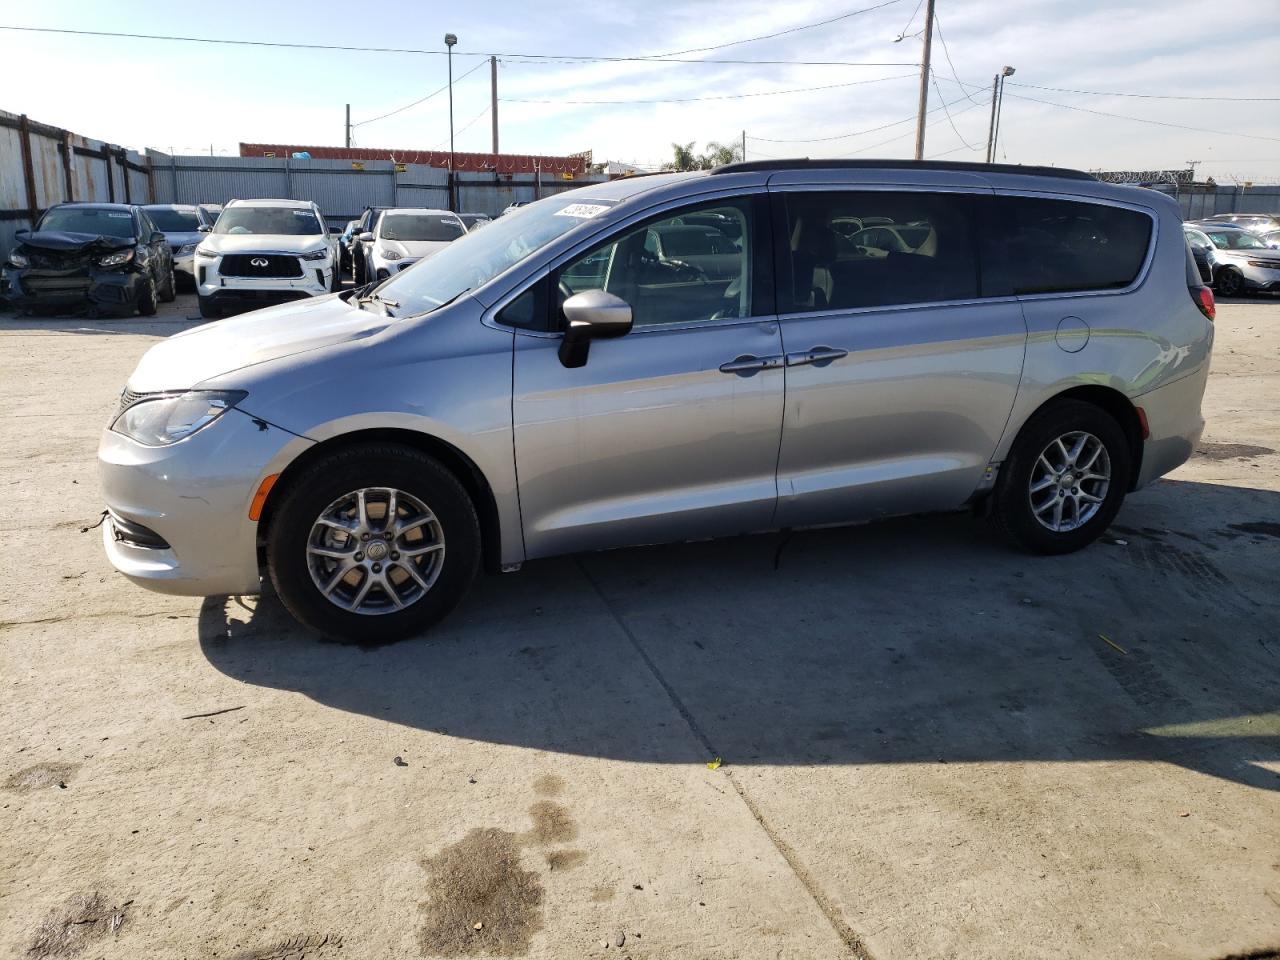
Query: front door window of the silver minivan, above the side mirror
[684, 268]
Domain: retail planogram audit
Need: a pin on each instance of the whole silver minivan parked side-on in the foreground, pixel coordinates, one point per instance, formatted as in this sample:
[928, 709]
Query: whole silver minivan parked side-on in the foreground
[673, 358]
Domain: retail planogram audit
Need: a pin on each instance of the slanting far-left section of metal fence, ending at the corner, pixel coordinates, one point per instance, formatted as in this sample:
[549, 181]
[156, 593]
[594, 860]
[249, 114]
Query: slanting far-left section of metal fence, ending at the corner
[42, 166]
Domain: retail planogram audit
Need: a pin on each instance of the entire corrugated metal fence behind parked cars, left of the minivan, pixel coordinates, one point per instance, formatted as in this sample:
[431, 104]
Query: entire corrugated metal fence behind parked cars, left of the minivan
[42, 166]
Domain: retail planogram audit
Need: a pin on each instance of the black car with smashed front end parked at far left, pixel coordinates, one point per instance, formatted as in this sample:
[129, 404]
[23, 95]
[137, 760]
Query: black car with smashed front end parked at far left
[102, 258]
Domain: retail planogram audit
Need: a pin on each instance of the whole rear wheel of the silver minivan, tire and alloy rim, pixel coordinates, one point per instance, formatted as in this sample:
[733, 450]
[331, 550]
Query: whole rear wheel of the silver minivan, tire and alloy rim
[1064, 479]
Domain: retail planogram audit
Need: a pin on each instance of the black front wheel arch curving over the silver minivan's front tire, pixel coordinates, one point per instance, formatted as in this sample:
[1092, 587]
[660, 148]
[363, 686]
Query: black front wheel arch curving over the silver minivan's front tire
[458, 463]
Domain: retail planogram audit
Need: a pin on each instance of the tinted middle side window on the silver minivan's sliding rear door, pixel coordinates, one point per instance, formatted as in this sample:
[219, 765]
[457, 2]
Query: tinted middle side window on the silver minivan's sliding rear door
[853, 250]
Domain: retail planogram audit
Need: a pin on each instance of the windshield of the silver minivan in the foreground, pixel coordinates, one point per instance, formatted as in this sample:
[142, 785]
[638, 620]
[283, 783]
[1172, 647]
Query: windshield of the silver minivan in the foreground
[478, 258]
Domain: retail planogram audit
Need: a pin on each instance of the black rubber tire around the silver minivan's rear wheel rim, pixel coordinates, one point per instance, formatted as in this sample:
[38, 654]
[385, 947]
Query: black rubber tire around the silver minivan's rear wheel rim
[1013, 510]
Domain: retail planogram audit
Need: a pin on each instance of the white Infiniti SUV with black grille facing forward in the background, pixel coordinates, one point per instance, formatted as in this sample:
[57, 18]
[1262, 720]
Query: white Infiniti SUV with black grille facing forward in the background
[263, 253]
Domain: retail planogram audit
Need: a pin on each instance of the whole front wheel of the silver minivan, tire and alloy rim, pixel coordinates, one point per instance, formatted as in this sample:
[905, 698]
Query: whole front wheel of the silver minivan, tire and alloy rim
[373, 543]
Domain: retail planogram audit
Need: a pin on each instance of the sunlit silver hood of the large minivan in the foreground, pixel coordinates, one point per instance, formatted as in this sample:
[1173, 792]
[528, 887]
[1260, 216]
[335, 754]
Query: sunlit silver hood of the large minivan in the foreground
[204, 353]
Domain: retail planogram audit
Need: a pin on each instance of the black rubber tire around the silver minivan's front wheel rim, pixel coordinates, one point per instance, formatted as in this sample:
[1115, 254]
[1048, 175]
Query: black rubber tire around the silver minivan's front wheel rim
[330, 479]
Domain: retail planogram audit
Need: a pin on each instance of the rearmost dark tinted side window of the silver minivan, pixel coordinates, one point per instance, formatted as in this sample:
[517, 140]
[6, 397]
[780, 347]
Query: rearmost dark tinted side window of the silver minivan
[1053, 246]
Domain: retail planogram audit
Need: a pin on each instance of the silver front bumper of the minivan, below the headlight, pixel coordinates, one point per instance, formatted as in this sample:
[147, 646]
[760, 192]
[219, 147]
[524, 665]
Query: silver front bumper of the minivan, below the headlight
[195, 497]
